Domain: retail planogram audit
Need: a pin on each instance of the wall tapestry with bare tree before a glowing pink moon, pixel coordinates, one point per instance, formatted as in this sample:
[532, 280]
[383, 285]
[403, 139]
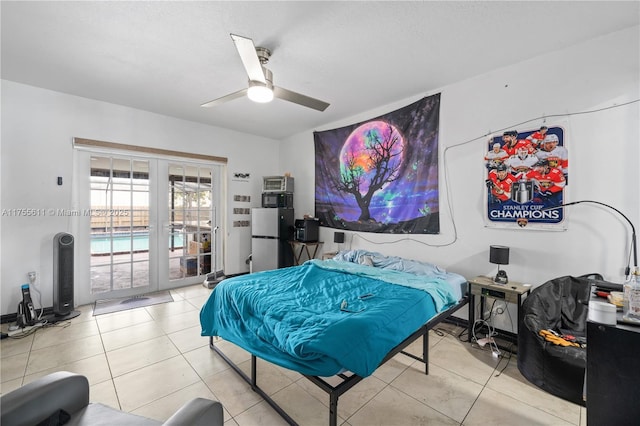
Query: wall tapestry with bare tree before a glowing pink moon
[381, 175]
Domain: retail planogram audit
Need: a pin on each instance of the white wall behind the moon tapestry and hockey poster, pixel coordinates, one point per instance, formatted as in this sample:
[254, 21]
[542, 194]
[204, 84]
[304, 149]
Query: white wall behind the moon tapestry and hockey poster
[604, 164]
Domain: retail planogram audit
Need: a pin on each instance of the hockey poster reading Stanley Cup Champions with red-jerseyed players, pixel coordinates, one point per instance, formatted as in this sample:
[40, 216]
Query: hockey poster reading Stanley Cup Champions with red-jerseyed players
[526, 174]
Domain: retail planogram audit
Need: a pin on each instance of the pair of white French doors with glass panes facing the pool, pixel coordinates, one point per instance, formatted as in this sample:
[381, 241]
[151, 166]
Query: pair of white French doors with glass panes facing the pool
[152, 223]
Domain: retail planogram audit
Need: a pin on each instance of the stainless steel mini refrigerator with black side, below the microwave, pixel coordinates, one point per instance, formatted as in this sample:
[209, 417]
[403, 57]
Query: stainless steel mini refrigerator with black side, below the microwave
[271, 231]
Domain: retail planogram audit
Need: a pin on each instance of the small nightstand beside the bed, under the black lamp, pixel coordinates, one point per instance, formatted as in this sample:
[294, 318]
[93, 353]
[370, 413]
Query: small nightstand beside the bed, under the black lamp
[484, 287]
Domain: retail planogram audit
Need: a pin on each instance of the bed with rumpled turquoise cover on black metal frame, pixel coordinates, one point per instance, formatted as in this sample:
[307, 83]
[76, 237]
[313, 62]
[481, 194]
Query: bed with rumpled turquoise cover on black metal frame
[342, 317]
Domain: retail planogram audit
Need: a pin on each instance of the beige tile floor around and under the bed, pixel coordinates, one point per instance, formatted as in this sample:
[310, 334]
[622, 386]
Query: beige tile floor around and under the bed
[151, 360]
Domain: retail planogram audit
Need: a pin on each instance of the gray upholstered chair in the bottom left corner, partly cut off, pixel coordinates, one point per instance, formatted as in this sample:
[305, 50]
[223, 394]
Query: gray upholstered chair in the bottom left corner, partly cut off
[63, 398]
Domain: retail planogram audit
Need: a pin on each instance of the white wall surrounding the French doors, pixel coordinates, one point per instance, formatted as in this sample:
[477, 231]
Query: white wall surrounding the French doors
[37, 131]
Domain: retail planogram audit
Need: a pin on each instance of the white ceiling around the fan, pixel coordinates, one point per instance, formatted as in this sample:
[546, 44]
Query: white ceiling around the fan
[170, 57]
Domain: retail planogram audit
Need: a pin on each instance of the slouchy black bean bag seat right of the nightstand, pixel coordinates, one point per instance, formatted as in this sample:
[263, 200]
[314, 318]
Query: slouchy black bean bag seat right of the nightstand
[561, 305]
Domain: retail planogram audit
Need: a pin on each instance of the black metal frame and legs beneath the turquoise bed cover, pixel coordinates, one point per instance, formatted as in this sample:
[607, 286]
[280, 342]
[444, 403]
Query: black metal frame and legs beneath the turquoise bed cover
[348, 381]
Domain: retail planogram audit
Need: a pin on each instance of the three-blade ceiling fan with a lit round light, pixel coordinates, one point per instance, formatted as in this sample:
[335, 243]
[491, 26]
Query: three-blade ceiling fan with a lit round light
[261, 88]
